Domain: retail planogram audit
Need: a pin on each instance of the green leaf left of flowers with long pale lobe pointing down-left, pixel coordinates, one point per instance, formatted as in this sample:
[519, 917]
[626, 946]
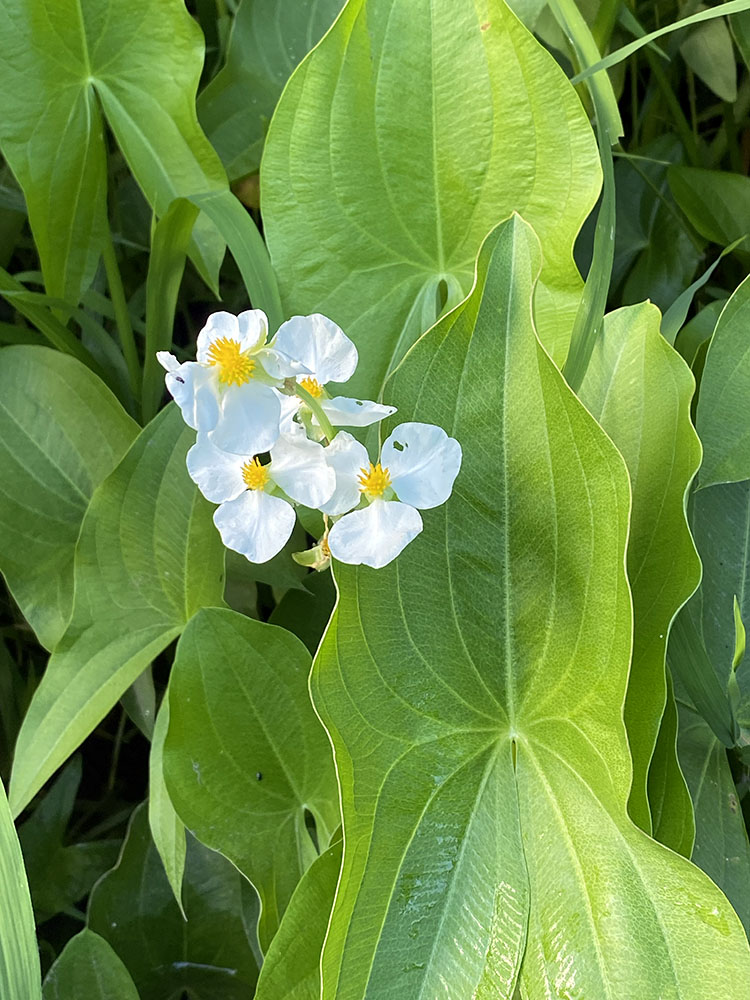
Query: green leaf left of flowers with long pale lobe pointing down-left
[147, 559]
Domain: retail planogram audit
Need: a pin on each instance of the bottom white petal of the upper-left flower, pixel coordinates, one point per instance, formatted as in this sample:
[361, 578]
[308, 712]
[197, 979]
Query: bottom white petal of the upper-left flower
[249, 422]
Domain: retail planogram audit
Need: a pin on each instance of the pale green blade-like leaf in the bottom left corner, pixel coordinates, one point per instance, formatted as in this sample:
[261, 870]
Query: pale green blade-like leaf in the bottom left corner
[20, 976]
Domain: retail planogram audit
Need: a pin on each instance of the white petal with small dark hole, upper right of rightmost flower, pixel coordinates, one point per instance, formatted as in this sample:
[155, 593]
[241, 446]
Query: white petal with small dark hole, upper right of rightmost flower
[423, 463]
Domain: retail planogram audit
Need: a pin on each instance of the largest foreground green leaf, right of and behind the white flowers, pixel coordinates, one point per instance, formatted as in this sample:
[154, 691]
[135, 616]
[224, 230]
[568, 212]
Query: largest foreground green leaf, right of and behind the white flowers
[473, 691]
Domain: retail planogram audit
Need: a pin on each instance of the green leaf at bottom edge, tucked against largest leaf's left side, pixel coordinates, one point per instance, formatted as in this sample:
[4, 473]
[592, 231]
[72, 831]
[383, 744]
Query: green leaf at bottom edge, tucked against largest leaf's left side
[301, 934]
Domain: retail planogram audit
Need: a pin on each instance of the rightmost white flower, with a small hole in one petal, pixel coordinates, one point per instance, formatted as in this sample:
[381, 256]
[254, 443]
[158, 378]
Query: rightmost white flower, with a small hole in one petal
[417, 468]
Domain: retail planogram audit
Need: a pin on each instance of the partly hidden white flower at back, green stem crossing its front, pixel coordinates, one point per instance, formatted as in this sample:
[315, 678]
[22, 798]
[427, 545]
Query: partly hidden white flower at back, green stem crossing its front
[328, 355]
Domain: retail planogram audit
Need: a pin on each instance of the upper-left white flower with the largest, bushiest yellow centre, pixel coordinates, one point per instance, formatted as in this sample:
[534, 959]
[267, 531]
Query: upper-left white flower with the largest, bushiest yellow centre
[228, 392]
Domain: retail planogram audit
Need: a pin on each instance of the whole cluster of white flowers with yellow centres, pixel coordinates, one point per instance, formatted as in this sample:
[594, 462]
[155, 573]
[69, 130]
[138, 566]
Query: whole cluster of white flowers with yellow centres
[268, 438]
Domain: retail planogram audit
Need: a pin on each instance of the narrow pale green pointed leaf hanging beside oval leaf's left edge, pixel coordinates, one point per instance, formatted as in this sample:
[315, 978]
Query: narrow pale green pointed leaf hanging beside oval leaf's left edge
[167, 830]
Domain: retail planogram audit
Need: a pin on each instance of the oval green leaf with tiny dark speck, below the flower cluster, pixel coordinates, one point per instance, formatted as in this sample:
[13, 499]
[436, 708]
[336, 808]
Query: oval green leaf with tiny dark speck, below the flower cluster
[245, 757]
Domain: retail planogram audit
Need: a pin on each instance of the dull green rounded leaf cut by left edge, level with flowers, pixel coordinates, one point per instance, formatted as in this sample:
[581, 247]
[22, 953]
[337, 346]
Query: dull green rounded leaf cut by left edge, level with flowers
[61, 433]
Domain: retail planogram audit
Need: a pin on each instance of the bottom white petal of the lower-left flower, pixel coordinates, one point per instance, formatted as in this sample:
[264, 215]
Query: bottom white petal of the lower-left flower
[256, 524]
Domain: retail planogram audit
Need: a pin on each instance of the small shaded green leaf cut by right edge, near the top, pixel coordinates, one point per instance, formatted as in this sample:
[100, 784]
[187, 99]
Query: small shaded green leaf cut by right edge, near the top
[716, 202]
